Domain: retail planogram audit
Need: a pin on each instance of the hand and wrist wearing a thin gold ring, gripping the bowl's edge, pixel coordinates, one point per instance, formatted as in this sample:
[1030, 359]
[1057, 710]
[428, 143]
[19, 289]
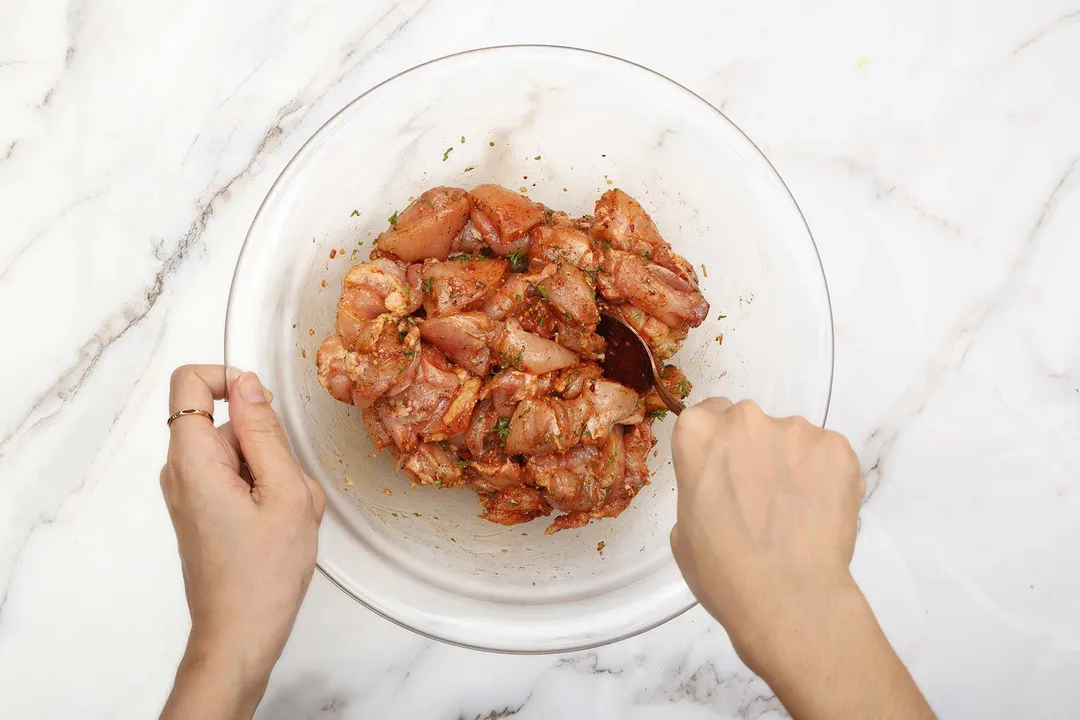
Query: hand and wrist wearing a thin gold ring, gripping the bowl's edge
[247, 522]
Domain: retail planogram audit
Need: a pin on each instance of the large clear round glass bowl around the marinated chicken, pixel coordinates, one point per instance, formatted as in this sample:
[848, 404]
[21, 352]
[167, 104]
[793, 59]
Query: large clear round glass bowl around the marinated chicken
[565, 126]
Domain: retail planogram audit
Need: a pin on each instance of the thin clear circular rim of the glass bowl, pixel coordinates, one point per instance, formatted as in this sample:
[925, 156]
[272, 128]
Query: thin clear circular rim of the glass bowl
[607, 57]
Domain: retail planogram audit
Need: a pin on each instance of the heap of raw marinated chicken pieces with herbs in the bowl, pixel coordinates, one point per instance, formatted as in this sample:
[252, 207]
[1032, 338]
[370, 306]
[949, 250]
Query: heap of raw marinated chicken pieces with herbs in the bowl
[469, 342]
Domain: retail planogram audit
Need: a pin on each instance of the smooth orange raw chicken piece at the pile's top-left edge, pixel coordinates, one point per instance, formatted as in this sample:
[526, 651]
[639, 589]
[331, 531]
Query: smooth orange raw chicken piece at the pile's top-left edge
[427, 228]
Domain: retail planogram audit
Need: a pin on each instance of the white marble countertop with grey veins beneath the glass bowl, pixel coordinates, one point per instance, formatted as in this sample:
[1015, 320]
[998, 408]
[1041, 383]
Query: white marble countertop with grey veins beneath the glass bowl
[935, 148]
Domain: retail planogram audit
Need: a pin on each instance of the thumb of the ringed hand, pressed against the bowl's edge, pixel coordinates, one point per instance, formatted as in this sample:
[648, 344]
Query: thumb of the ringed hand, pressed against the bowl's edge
[261, 436]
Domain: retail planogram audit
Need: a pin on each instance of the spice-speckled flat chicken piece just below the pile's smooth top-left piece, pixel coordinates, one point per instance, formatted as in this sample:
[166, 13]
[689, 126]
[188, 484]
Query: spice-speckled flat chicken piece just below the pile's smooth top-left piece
[461, 283]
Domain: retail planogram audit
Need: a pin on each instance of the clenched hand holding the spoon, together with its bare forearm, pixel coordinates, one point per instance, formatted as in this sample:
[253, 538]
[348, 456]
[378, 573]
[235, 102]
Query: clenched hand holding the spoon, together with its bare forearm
[767, 519]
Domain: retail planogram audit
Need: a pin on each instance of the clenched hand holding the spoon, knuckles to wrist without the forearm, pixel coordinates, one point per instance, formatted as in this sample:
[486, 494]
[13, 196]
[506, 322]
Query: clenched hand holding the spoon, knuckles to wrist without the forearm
[767, 518]
